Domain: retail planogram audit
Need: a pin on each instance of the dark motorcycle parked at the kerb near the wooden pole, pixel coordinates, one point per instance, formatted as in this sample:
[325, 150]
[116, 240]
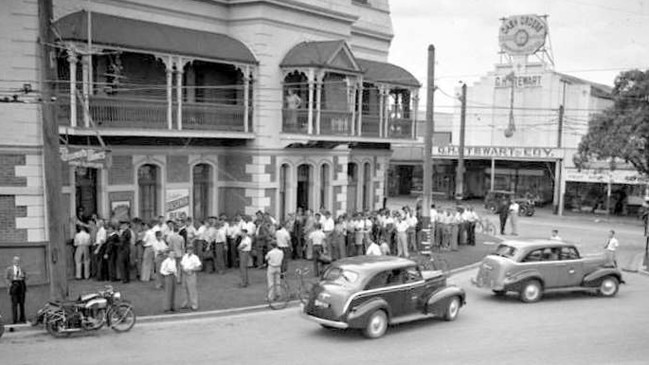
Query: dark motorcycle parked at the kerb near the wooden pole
[88, 313]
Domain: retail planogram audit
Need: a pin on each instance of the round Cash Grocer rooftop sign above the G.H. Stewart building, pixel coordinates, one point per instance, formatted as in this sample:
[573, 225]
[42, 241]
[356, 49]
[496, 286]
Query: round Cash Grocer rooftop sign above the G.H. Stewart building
[522, 34]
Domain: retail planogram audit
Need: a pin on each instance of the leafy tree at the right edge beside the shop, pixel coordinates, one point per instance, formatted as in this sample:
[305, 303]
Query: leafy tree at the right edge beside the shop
[621, 132]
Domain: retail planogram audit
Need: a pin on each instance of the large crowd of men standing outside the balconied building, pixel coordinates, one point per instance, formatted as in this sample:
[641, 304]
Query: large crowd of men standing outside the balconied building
[136, 249]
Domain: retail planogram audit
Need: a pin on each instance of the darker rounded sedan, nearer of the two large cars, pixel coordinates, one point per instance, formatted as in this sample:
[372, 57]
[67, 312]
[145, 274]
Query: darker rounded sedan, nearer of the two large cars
[372, 292]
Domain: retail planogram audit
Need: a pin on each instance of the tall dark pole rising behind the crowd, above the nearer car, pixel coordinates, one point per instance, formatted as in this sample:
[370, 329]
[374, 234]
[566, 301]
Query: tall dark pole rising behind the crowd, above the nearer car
[428, 139]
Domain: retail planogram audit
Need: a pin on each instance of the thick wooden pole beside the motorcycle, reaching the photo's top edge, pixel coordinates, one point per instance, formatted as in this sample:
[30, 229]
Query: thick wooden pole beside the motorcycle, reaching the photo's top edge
[56, 258]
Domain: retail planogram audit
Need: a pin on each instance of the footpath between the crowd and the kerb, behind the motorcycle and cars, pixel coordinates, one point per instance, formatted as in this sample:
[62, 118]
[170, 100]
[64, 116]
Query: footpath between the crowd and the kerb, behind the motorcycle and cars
[219, 294]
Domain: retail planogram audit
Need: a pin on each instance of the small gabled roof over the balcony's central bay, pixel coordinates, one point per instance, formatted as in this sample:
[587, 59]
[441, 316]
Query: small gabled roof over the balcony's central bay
[334, 55]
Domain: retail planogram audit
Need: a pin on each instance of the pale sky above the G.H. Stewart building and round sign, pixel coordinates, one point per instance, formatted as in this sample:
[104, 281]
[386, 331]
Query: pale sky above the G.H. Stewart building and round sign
[591, 39]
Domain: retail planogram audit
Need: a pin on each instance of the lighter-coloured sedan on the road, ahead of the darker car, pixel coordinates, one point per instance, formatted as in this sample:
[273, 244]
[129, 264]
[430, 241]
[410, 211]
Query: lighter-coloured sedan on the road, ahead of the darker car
[532, 267]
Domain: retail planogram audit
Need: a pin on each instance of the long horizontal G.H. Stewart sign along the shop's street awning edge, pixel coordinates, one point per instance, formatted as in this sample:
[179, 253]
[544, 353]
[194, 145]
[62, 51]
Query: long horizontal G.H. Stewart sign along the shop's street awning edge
[544, 153]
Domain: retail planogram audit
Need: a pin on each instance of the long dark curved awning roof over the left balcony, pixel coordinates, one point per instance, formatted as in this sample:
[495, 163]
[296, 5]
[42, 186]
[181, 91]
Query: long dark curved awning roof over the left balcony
[110, 30]
